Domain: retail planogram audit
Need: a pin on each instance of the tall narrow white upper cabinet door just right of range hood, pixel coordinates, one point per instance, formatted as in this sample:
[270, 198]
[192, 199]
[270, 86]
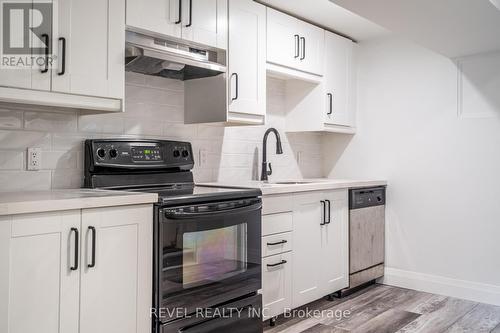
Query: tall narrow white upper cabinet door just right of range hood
[247, 57]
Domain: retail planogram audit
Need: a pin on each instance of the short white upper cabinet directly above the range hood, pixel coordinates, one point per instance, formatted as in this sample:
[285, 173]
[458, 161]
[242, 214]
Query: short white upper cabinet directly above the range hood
[199, 21]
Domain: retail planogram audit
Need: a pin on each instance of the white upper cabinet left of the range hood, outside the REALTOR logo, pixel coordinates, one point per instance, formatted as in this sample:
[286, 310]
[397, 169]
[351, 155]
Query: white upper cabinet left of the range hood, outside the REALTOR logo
[86, 52]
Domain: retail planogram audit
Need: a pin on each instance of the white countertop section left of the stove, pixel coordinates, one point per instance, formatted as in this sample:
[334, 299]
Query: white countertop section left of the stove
[45, 201]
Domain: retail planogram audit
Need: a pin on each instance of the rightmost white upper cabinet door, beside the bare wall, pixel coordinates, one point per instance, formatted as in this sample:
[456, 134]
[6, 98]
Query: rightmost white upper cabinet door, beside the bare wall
[338, 71]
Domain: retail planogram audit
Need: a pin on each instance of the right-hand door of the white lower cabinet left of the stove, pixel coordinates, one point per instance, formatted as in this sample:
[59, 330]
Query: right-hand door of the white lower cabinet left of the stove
[116, 282]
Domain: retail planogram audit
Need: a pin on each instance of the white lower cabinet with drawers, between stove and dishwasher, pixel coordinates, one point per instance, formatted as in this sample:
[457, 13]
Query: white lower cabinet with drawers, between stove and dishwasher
[308, 247]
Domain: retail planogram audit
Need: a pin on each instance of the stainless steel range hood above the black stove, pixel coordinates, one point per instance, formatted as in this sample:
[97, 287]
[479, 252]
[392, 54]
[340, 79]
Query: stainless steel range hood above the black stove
[172, 59]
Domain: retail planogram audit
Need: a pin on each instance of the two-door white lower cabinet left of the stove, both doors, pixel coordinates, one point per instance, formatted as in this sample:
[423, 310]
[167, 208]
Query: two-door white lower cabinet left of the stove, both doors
[47, 285]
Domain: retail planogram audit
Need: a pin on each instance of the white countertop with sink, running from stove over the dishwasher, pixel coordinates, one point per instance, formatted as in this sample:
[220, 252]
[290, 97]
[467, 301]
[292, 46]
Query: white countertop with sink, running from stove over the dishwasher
[305, 185]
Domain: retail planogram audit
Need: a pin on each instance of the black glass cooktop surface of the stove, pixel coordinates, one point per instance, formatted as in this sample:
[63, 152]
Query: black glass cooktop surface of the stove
[181, 194]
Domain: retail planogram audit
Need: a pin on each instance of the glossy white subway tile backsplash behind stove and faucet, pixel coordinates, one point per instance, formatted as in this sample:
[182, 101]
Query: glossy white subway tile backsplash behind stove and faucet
[154, 109]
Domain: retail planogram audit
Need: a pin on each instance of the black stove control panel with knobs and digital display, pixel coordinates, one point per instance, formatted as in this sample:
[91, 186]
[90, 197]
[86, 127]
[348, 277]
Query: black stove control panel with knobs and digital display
[144, 154]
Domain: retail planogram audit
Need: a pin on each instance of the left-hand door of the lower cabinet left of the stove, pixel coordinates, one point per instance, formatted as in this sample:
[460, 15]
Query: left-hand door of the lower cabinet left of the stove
[38, 290]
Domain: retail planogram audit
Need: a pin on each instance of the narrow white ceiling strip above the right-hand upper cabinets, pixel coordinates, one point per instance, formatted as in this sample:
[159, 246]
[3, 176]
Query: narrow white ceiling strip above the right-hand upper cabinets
[330, 16]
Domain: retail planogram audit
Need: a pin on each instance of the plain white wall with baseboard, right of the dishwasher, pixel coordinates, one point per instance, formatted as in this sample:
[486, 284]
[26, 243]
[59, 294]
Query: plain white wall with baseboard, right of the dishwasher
[443, 212]
